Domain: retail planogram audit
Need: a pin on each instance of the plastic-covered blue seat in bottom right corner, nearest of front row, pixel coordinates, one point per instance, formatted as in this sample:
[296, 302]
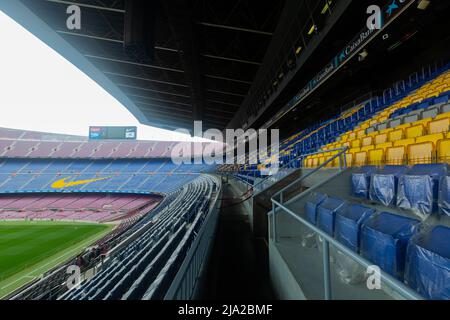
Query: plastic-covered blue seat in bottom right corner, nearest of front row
[428, 263]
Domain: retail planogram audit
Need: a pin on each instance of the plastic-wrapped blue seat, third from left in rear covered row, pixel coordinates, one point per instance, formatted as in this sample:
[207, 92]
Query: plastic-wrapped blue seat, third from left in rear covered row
[418, 189]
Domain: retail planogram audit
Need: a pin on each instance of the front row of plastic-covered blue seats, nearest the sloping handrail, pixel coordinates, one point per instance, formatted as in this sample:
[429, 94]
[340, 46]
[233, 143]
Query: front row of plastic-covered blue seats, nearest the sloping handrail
[397, 244]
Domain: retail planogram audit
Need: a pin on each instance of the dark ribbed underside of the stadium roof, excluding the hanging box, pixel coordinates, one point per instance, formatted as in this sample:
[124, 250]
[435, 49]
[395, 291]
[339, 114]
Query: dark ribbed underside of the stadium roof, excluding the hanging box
[206, 53]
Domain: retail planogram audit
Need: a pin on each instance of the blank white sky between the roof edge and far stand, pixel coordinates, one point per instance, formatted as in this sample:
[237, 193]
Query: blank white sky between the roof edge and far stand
[42, 91]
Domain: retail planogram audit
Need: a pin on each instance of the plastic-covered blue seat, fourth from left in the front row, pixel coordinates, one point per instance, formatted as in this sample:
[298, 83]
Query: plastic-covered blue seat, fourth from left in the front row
[384, 239]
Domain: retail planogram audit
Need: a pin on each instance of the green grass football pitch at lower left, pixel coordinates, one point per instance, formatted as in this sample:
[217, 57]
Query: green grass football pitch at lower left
[30, 248]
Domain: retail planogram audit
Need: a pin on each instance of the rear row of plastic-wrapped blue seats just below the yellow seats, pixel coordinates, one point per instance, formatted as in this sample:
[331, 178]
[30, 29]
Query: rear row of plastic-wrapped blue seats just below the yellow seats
[423, 189]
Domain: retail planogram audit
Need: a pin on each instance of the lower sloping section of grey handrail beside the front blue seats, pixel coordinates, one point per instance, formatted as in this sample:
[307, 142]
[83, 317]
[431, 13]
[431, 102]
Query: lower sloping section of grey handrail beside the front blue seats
[404, 291]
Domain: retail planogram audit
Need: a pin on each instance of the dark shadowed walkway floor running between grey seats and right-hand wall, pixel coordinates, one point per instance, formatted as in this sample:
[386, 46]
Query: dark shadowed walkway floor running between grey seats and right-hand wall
[239, 266]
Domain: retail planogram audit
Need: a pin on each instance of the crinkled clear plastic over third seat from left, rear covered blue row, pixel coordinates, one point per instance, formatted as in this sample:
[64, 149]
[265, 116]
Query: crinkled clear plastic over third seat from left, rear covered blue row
[416, 193]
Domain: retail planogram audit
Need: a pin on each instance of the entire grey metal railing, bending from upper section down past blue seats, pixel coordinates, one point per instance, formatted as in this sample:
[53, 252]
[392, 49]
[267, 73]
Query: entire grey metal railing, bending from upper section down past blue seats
[278, 207]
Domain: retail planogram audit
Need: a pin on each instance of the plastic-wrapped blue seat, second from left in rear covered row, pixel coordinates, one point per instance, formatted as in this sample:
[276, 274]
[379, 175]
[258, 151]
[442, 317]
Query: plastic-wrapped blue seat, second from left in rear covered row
[383, 185]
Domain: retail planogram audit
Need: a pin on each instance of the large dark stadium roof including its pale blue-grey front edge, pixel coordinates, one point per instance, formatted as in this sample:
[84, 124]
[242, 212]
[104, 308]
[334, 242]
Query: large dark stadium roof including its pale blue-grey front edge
[198, 61]
